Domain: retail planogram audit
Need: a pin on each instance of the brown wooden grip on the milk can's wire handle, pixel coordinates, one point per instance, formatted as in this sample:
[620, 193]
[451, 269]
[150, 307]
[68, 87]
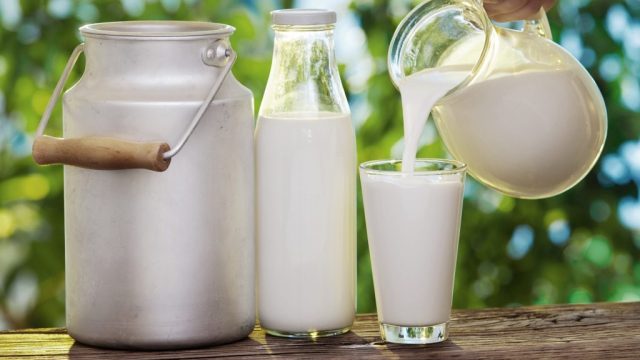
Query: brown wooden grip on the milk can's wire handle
[100, 153]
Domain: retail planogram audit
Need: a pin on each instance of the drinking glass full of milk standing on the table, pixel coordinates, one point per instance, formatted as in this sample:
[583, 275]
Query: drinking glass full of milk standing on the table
[413, 225]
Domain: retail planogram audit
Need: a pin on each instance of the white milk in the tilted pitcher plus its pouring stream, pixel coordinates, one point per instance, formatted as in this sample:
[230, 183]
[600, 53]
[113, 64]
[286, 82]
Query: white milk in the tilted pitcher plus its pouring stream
[526, 133]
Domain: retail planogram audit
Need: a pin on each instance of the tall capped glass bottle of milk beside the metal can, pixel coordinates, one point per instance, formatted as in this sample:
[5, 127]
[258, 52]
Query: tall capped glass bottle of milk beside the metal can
[306, 184]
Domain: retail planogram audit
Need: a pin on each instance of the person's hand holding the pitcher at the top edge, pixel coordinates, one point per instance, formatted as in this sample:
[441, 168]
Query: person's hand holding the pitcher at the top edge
[511, 10]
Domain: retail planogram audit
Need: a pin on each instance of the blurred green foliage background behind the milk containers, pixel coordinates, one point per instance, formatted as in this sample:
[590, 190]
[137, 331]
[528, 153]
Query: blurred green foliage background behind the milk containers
[581, 246]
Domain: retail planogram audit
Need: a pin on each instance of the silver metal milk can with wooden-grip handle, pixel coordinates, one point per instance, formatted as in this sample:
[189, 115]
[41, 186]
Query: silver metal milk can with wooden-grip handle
[163, 258]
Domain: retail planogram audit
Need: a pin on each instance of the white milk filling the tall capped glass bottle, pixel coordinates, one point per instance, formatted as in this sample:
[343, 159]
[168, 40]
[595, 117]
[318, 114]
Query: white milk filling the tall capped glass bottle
[306, 176]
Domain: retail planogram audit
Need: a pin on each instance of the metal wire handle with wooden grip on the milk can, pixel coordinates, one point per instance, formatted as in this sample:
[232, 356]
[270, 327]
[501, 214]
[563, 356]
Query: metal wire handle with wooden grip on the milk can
[103, 153]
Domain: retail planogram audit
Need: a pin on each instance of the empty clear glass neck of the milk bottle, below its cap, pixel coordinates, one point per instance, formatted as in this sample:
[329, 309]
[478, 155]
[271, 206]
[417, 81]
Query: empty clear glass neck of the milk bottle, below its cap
[304, 73]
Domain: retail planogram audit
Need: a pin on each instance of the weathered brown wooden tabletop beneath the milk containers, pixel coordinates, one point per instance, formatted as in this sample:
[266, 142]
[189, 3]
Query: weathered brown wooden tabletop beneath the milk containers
[598, 331]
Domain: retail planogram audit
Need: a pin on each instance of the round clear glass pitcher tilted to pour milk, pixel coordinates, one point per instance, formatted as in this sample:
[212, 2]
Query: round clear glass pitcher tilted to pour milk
[522, 112]
